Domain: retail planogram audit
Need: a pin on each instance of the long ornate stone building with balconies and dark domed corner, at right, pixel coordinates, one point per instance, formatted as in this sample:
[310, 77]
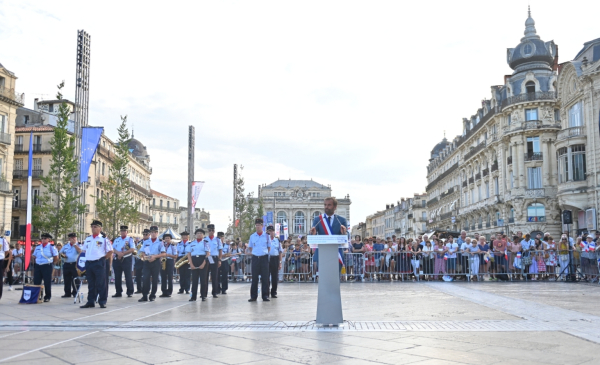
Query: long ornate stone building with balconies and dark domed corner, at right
[500, 174]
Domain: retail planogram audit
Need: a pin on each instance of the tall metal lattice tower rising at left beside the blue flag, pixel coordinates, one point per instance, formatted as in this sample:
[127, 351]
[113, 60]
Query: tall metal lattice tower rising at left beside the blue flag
[82, 101]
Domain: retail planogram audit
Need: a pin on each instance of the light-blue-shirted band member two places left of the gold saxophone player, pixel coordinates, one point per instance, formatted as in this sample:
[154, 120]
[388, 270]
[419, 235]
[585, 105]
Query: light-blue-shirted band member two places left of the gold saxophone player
[152, 251]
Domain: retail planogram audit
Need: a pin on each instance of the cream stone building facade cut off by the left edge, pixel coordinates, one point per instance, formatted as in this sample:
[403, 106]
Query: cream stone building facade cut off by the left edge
[10, 101]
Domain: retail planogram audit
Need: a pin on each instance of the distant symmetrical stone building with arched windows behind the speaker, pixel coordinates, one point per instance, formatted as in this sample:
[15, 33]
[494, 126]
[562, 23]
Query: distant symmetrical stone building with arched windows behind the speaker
[297, 202]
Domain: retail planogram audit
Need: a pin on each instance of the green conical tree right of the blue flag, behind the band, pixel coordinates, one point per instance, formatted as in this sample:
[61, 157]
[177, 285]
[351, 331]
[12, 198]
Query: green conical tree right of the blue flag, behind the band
[117, 206]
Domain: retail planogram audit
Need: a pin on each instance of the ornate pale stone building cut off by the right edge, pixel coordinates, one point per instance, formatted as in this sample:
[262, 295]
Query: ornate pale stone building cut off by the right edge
[577, 143]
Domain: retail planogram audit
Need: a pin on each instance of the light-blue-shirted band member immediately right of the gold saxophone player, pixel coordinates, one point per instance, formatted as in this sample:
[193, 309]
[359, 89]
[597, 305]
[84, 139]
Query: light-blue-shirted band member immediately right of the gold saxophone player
[198, 252]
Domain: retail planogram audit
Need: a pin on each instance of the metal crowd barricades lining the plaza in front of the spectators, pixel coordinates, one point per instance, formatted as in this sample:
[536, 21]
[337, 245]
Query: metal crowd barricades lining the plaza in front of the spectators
[528, 265]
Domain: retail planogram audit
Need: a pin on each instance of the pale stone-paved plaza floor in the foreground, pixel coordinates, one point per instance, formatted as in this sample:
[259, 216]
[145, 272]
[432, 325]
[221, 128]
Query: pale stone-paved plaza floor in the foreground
[387, 323]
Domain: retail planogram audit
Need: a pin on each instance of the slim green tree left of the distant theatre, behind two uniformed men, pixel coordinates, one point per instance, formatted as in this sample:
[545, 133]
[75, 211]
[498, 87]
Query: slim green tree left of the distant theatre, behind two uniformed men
[247, 209]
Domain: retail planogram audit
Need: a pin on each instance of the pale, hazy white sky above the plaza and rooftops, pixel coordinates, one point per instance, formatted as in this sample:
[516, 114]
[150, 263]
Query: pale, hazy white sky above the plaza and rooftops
[353, 94]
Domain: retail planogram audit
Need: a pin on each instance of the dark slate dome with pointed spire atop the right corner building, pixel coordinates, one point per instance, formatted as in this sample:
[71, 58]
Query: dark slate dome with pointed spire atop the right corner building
[532, 53]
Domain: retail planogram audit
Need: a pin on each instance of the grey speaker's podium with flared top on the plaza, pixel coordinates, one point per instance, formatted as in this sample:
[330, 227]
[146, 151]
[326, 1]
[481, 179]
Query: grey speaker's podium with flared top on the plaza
[329, 300]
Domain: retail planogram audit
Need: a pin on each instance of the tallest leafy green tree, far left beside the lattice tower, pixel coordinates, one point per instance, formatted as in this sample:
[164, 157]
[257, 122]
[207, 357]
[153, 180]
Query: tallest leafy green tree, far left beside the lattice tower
[57, 209]
